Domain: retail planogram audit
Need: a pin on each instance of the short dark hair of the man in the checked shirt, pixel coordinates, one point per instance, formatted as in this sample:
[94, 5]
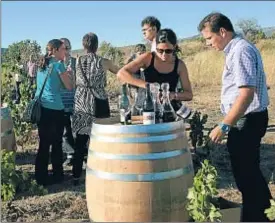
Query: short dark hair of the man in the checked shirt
[216, 21]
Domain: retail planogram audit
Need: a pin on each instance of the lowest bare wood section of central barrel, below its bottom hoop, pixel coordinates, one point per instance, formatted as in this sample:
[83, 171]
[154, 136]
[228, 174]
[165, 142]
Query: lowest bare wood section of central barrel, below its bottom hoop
[161, 201]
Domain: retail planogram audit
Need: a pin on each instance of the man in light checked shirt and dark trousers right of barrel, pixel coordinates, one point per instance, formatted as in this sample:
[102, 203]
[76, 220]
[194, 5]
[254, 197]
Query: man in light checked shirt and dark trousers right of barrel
[244, 102]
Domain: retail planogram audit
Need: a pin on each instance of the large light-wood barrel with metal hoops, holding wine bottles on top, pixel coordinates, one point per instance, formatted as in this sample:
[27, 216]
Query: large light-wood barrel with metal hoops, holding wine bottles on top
[121, 185]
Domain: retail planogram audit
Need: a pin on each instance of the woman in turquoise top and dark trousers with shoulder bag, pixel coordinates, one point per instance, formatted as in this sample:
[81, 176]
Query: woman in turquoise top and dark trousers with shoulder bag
[53, 75]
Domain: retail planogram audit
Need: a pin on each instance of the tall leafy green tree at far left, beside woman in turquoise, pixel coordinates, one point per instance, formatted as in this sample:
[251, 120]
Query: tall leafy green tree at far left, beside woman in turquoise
[18, 52]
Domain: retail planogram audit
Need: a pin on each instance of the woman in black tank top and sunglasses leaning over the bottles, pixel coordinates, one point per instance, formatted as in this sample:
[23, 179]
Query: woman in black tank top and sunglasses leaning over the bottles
[162, 66]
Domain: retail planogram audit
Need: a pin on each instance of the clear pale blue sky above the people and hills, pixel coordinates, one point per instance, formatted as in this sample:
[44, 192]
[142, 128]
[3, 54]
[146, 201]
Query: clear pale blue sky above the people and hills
[117, 22]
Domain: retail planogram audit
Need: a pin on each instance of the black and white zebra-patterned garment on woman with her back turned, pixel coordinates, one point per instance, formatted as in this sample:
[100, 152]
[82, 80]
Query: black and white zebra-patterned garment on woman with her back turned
[83, 116]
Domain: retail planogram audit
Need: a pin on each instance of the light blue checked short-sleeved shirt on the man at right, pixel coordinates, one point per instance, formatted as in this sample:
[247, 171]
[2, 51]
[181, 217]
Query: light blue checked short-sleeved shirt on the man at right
[243, 67]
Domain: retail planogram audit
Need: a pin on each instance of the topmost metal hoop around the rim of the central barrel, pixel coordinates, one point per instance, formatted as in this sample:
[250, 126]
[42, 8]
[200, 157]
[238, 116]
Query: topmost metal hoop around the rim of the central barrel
[112, 125]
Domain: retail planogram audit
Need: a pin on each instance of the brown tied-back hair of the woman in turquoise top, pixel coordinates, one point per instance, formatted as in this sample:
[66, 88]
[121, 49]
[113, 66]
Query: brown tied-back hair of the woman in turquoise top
[52, 46]
